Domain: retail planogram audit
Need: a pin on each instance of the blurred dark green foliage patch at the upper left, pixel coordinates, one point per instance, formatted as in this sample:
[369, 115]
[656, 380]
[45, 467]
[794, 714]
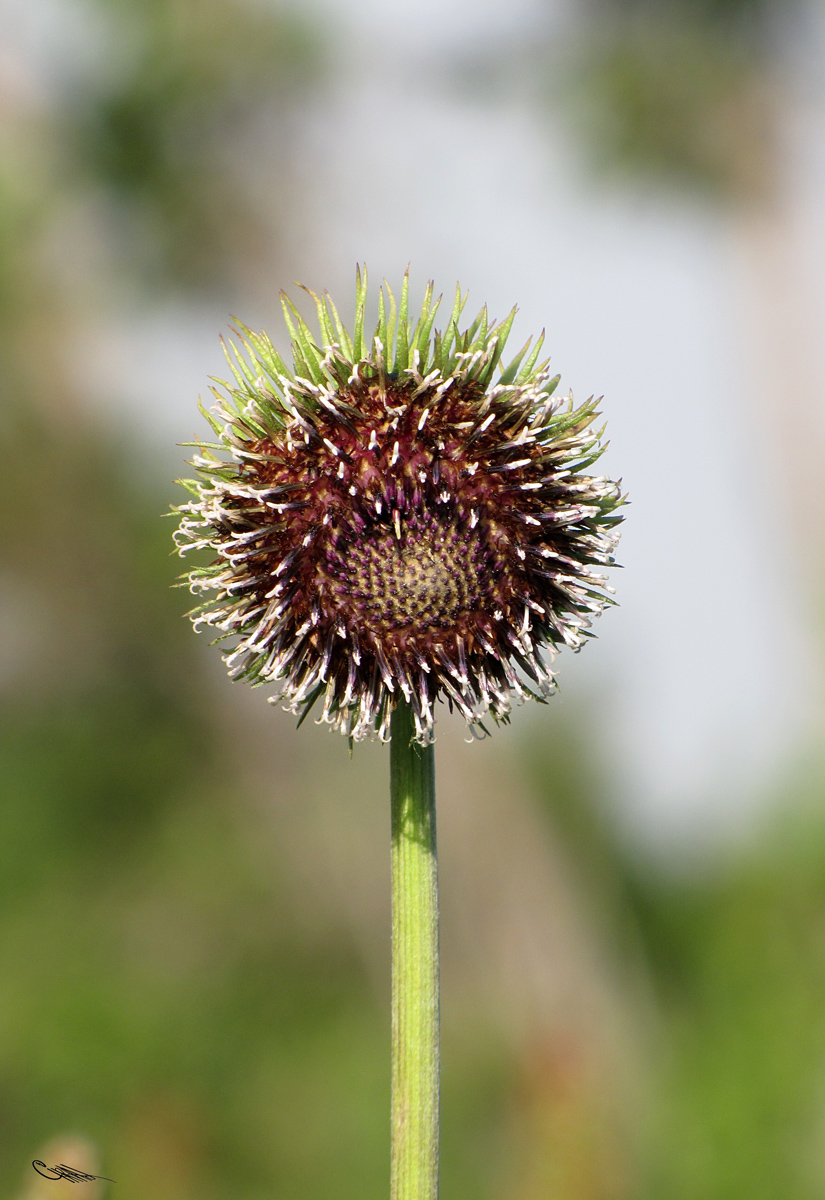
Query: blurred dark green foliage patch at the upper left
[192, 93]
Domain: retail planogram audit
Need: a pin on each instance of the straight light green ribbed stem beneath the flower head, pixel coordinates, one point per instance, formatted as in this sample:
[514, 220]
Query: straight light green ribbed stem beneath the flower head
[415, 965]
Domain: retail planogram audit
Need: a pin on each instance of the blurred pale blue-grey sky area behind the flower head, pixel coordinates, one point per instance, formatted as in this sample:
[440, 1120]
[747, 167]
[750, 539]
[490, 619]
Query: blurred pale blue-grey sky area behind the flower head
[703, 677]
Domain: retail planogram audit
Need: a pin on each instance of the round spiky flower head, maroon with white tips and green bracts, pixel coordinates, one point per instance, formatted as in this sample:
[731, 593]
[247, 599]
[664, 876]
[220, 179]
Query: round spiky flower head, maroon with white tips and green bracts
[395, 521]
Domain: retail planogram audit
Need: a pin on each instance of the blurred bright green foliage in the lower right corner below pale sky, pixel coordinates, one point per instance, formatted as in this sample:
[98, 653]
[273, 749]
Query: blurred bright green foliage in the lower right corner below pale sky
[734, 958]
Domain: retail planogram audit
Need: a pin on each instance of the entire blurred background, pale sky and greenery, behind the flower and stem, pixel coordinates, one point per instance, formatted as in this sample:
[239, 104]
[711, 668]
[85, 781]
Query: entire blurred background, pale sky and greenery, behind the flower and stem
[634, 878]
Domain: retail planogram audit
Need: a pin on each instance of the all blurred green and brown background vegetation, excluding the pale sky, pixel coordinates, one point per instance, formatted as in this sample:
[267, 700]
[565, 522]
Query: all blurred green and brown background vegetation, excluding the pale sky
[195, 901]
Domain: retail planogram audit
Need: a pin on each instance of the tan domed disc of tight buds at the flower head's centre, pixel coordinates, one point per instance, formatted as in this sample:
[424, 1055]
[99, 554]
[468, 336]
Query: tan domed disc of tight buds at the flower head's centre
[429, 578]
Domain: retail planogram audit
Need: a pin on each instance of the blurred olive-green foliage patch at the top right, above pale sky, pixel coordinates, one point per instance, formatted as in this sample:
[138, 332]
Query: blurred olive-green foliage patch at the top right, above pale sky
[684, 91]
